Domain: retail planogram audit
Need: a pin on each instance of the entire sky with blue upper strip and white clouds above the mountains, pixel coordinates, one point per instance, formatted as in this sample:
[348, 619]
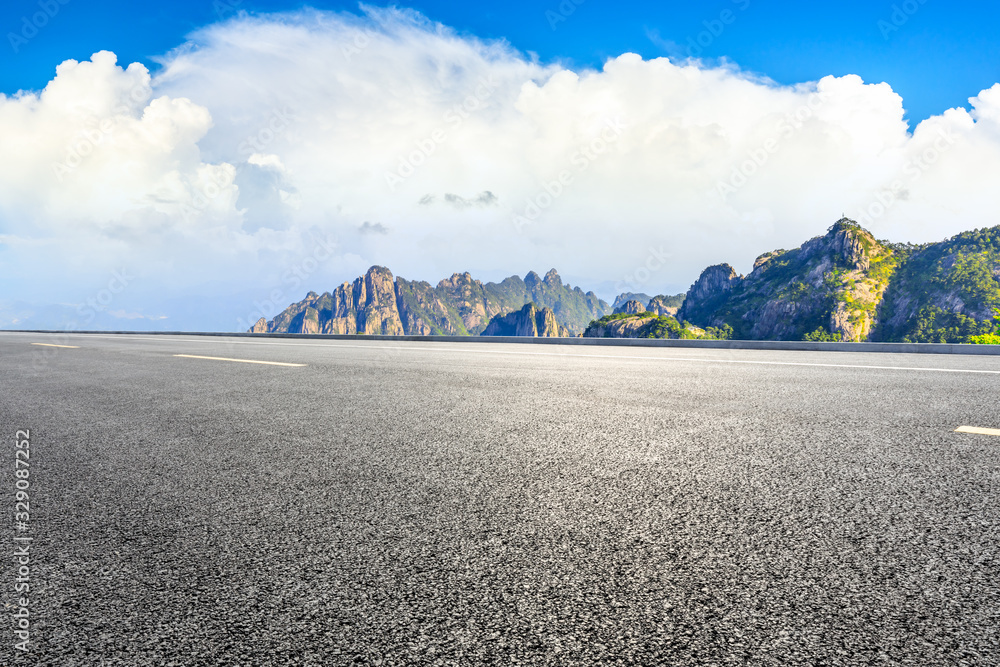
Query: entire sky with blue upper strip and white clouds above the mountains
[194, 166]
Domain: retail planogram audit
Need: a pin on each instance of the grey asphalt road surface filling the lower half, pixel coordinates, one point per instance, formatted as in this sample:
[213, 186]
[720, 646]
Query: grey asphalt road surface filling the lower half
[432, 503]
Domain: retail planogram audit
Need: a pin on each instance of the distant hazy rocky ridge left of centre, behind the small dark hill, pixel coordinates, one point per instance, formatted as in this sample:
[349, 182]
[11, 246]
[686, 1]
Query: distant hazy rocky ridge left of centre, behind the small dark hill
[378, 303]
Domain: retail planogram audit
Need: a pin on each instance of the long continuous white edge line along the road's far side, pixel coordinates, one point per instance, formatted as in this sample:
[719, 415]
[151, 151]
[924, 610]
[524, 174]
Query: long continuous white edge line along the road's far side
[375, 346]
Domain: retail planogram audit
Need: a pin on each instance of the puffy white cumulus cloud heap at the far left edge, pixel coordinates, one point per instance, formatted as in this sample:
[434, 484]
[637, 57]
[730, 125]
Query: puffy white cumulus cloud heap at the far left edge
[96, 145]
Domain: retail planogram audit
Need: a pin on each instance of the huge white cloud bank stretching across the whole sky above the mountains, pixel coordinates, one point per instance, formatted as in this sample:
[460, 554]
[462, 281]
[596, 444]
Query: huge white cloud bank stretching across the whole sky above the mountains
[264, 134]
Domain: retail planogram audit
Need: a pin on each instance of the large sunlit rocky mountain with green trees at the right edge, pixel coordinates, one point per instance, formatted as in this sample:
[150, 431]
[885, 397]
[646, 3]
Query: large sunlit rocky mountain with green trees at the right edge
[848, 286]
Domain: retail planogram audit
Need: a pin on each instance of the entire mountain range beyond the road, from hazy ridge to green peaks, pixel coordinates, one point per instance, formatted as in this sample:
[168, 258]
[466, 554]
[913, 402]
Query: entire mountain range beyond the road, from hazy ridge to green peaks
[843, 286]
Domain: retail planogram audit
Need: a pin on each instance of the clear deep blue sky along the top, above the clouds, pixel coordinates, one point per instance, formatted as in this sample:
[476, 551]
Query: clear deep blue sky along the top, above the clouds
[940, 55]
